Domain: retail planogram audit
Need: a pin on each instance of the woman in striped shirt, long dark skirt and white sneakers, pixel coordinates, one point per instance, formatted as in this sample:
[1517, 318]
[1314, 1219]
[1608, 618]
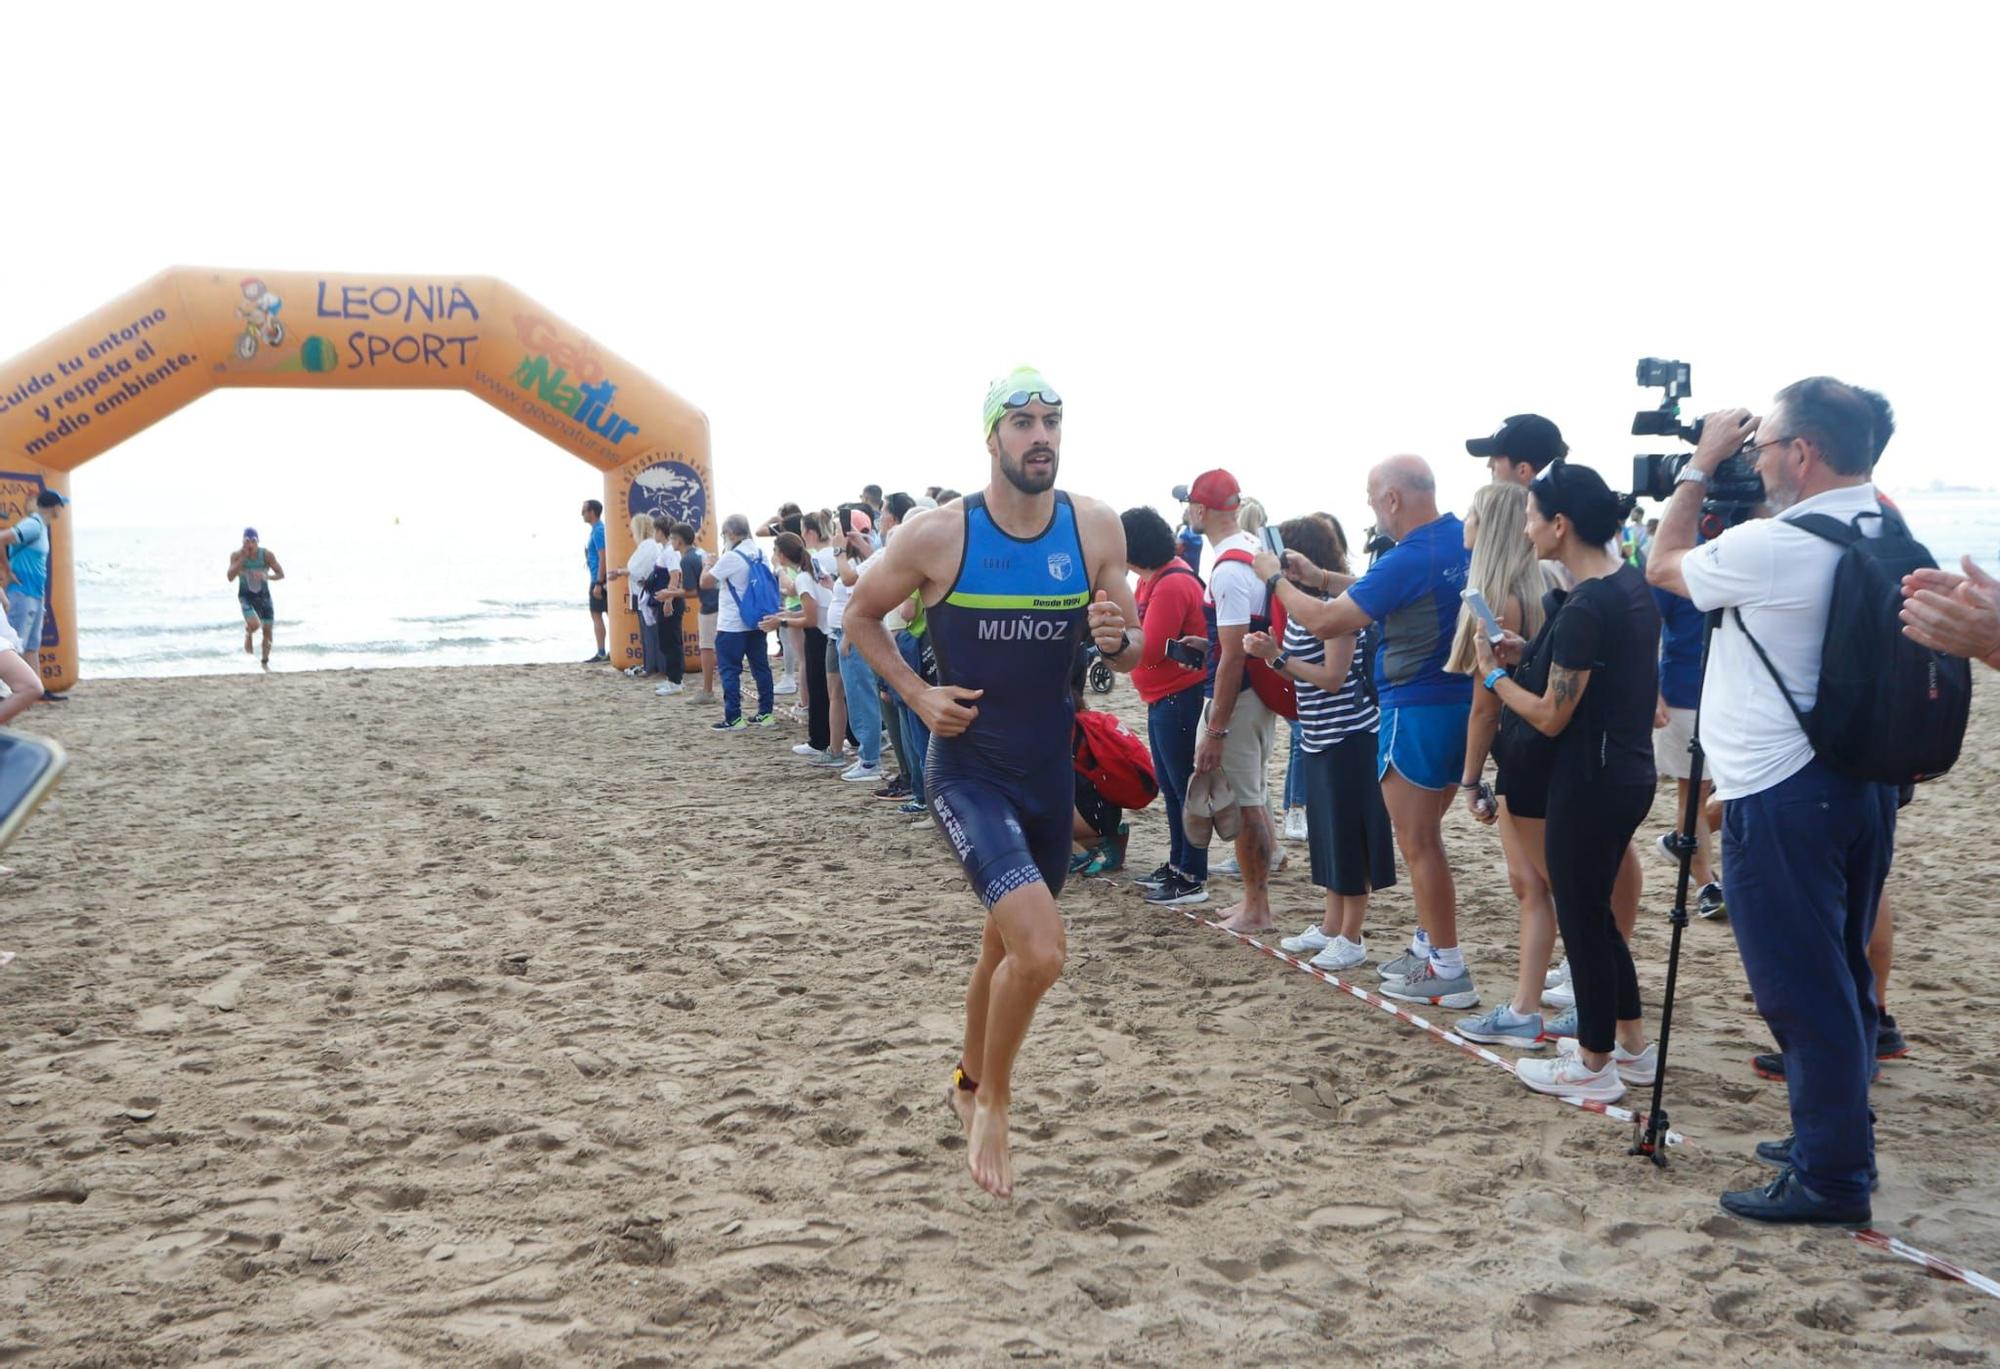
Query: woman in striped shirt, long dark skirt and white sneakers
[1347, 826]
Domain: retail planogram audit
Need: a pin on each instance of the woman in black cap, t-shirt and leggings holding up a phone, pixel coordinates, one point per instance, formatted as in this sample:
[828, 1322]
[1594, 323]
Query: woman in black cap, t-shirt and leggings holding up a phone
[1597, 706]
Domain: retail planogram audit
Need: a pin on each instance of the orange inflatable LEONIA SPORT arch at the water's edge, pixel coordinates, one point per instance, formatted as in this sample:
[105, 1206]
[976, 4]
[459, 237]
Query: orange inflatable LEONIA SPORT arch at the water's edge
[191, 331]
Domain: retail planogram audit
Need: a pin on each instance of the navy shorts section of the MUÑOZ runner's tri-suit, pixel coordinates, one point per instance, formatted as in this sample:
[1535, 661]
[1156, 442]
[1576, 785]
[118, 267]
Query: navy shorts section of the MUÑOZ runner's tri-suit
[1007, 834]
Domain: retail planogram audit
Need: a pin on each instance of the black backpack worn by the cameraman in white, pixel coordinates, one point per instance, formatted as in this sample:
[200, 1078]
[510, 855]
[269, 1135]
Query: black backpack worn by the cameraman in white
[1889, 712]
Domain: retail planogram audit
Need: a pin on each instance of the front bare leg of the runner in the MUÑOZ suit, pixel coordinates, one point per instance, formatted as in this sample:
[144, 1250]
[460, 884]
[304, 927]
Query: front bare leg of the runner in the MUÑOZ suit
[1009, 986]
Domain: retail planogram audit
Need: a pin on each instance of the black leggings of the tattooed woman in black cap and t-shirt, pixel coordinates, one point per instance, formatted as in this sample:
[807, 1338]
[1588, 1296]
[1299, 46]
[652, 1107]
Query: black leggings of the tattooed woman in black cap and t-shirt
[1585, 842]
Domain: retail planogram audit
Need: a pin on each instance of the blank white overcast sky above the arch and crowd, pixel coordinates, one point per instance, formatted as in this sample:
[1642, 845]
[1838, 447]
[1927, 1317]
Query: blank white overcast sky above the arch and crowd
[1281, 239]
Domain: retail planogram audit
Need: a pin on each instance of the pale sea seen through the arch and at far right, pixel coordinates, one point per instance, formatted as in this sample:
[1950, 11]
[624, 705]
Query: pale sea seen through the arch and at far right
[157, 601]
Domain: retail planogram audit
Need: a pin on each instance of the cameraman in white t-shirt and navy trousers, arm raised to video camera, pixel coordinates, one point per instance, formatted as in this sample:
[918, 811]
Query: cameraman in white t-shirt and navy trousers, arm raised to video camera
[1805, 850]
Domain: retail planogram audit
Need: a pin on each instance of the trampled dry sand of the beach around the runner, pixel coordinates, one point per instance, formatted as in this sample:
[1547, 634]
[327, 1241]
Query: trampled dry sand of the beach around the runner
[503, 1016]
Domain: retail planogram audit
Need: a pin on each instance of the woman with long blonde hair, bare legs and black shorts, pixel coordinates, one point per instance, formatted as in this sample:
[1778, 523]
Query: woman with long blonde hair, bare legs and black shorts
[1507, 573]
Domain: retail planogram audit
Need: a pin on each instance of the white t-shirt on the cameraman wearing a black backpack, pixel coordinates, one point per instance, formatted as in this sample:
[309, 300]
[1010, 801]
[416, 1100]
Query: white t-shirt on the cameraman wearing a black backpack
[1783, 581]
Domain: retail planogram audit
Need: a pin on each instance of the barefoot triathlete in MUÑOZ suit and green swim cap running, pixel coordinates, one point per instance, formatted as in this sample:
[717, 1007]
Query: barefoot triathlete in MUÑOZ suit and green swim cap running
[1007, 579]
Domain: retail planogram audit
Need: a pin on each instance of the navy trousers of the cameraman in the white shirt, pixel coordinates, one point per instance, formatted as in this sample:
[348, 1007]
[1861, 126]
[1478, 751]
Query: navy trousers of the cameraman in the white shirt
[1803, 868]
